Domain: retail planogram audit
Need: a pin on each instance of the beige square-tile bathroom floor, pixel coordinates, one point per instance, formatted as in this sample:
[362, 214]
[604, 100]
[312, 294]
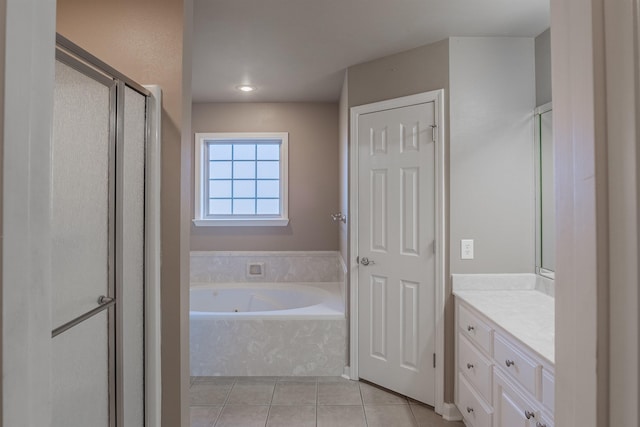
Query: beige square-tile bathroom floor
[302, 402]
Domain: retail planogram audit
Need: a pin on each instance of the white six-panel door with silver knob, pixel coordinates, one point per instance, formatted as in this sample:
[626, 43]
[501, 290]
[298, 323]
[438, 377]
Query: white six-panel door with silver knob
[396, 238]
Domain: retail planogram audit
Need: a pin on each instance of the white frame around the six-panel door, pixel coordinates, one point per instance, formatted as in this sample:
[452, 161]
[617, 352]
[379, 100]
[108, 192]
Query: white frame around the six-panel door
[437, 97]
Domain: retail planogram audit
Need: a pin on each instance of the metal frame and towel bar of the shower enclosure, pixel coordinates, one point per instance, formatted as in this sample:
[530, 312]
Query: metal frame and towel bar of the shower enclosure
[72, 55]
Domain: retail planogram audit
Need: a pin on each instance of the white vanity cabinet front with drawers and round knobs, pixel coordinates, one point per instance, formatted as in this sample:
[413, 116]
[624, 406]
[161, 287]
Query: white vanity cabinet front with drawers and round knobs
[500, 382]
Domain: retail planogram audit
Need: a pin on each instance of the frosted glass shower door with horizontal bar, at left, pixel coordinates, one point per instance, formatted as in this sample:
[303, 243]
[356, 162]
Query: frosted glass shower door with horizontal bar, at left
[83, 235]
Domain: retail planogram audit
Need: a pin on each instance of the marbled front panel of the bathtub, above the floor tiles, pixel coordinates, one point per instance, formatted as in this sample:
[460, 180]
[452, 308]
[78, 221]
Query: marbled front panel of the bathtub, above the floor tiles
[268, 347]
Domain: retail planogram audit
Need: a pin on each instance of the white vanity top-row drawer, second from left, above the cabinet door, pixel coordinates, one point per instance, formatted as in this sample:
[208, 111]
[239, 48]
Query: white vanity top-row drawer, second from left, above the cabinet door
[520, 367]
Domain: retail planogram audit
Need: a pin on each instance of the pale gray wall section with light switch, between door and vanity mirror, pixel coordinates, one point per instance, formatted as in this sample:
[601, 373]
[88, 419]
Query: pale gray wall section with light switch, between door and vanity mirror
[491, 160]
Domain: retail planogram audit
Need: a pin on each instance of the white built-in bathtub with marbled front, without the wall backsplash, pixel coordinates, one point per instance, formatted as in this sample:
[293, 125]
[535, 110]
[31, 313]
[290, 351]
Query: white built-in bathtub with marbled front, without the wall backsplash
[294, 329]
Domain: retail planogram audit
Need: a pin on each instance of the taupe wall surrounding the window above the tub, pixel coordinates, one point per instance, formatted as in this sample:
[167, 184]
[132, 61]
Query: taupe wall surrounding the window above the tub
[313, 175]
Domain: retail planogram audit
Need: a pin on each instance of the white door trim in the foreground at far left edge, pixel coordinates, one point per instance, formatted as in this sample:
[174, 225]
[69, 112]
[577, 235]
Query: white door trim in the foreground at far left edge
[28, 28]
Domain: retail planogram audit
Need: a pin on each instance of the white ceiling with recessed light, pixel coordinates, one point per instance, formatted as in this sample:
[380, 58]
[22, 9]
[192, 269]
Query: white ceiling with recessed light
[297, 50]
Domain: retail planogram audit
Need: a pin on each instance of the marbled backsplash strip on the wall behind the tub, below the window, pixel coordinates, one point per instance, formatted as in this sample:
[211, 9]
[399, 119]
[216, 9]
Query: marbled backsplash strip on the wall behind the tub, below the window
[228, 267]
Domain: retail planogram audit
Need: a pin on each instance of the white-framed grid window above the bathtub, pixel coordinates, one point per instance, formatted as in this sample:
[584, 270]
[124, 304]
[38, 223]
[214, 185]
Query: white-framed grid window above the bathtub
[241, 179]
